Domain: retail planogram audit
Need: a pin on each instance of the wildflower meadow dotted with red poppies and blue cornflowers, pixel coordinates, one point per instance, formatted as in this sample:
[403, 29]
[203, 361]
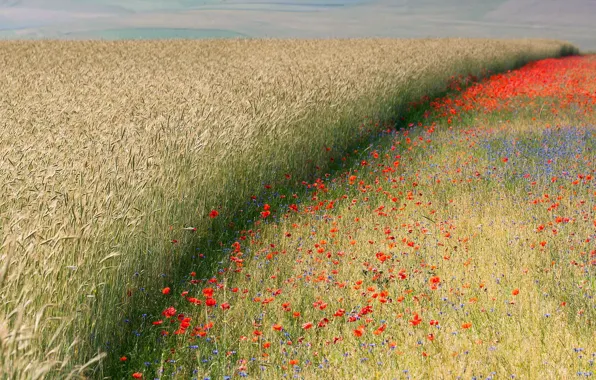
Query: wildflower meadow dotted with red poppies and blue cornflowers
[462, 245]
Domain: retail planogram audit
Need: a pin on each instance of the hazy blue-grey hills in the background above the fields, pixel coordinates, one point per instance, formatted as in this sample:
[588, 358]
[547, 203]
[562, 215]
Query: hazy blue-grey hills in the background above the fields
[571, 20]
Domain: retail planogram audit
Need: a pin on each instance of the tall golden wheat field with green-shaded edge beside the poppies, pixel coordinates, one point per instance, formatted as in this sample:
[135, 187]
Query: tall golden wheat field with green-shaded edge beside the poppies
[106, 145]
